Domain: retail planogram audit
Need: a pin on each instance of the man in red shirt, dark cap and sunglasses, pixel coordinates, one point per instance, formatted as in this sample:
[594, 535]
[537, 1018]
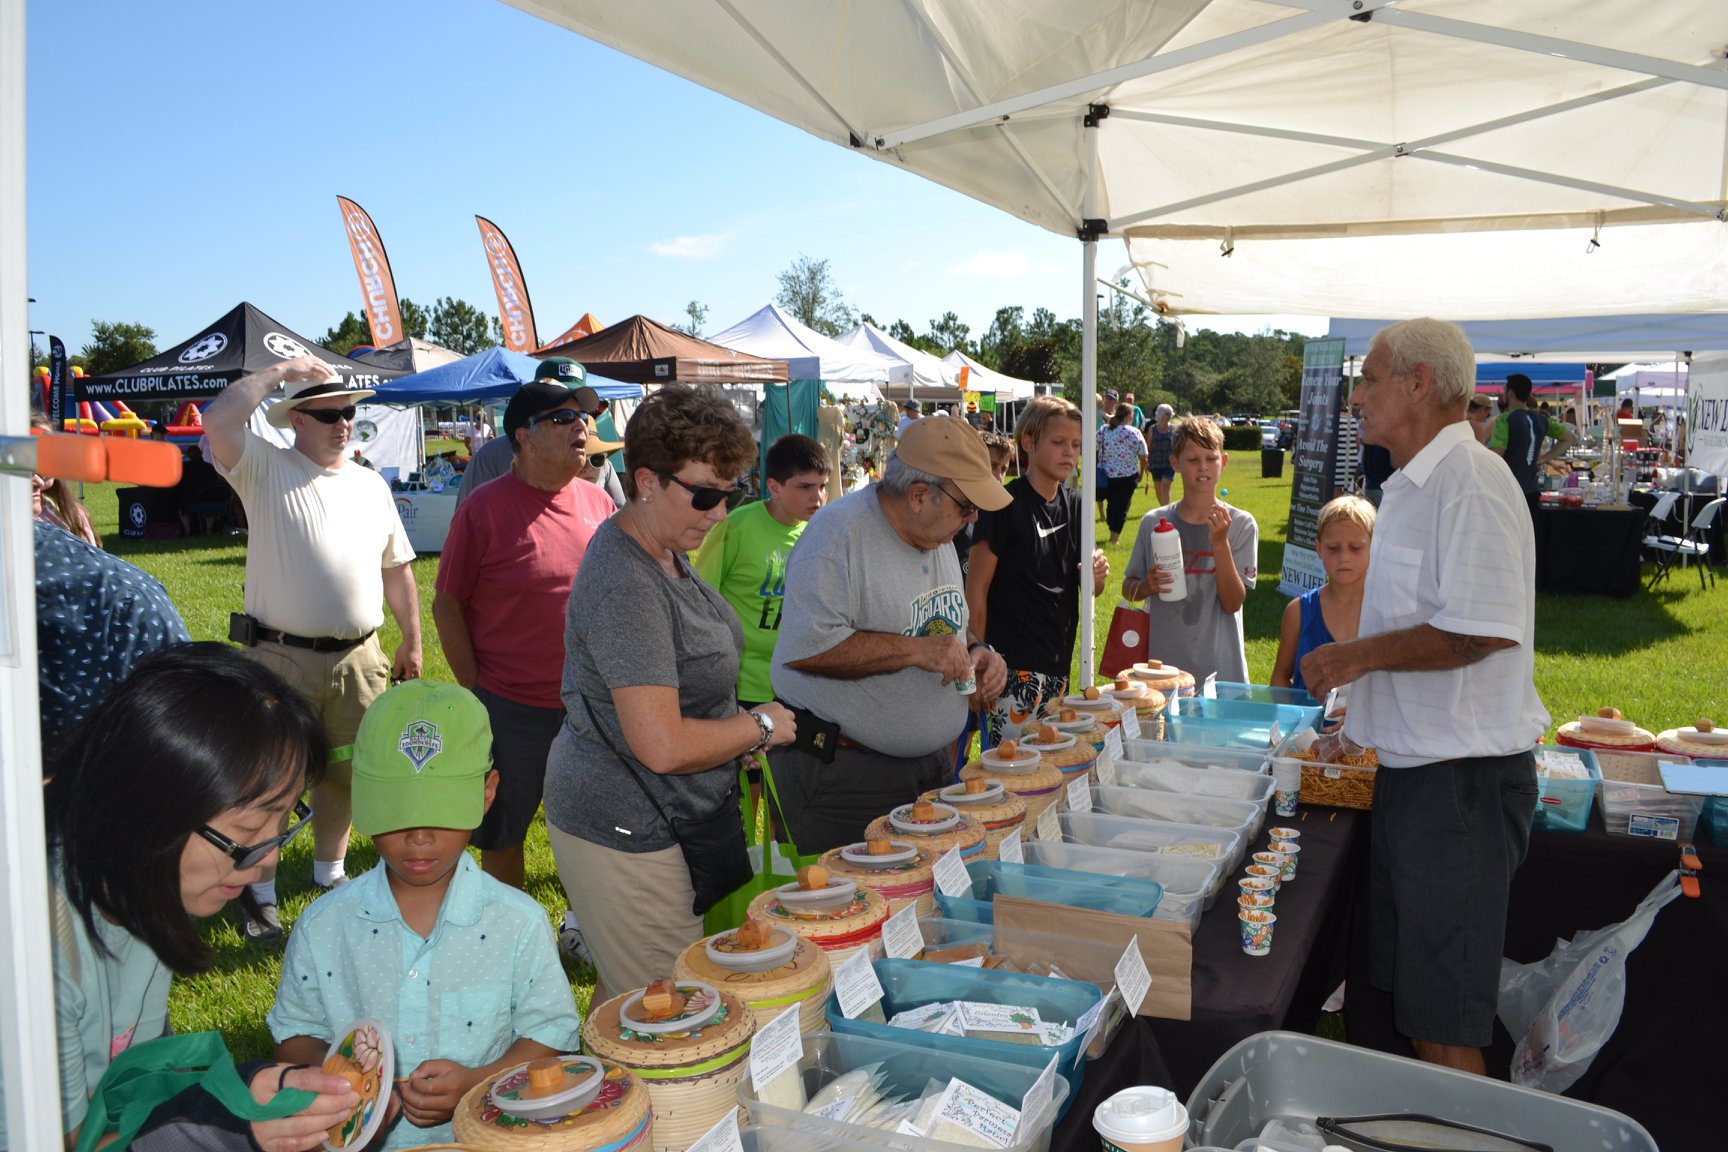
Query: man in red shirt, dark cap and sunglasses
[502, 588]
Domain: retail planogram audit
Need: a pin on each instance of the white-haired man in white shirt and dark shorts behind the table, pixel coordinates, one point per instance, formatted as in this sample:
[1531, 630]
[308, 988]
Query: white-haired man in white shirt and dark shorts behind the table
[1444, 688]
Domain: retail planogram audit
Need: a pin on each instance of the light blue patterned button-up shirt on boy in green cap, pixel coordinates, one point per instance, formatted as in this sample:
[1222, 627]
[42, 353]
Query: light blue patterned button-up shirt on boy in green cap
[483, 980]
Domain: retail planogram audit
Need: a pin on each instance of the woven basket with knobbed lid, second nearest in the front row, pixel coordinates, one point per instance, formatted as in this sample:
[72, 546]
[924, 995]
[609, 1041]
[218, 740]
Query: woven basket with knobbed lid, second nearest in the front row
[690, 1046]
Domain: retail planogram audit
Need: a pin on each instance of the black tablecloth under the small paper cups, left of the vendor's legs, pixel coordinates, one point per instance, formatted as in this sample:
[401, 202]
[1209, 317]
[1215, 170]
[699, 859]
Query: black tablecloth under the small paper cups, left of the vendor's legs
[1238, 996]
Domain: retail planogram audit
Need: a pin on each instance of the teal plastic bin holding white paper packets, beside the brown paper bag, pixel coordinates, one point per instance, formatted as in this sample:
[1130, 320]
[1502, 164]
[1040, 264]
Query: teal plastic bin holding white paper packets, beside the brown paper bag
[915, 984]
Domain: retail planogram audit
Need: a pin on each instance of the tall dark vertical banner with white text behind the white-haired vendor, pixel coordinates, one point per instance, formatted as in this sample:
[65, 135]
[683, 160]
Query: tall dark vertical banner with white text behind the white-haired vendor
[1314, 459]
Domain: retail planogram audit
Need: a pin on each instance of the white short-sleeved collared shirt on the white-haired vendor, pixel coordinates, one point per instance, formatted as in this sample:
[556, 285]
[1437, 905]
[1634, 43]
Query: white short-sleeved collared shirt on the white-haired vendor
[1454, 550]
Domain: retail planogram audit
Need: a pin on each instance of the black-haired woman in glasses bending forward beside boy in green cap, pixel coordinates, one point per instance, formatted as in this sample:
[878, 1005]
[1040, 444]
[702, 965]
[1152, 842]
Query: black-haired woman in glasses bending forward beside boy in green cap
[163, 806]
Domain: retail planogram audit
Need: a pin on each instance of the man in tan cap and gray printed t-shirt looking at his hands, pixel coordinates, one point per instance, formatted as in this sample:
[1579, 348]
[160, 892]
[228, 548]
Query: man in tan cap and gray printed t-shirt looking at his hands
[875, 645]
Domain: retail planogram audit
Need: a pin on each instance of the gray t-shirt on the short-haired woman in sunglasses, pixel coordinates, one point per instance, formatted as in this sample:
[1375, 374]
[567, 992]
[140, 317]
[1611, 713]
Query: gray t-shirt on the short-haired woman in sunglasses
[630, 624]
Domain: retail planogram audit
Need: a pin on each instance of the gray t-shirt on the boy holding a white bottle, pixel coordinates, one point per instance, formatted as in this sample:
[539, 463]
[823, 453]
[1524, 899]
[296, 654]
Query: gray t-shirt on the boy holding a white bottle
[1197, 635]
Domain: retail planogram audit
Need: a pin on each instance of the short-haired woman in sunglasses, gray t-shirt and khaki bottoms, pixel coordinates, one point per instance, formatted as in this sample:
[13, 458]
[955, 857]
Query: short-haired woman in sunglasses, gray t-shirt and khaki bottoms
[642, 785]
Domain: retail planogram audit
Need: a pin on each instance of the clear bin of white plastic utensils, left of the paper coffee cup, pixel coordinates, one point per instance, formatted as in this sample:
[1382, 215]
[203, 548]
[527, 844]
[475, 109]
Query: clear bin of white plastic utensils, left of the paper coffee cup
[908, 1068]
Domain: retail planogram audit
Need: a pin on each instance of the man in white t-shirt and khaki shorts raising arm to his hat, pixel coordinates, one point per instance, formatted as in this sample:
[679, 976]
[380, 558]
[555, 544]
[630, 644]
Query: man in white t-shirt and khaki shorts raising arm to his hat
[326, 554]
